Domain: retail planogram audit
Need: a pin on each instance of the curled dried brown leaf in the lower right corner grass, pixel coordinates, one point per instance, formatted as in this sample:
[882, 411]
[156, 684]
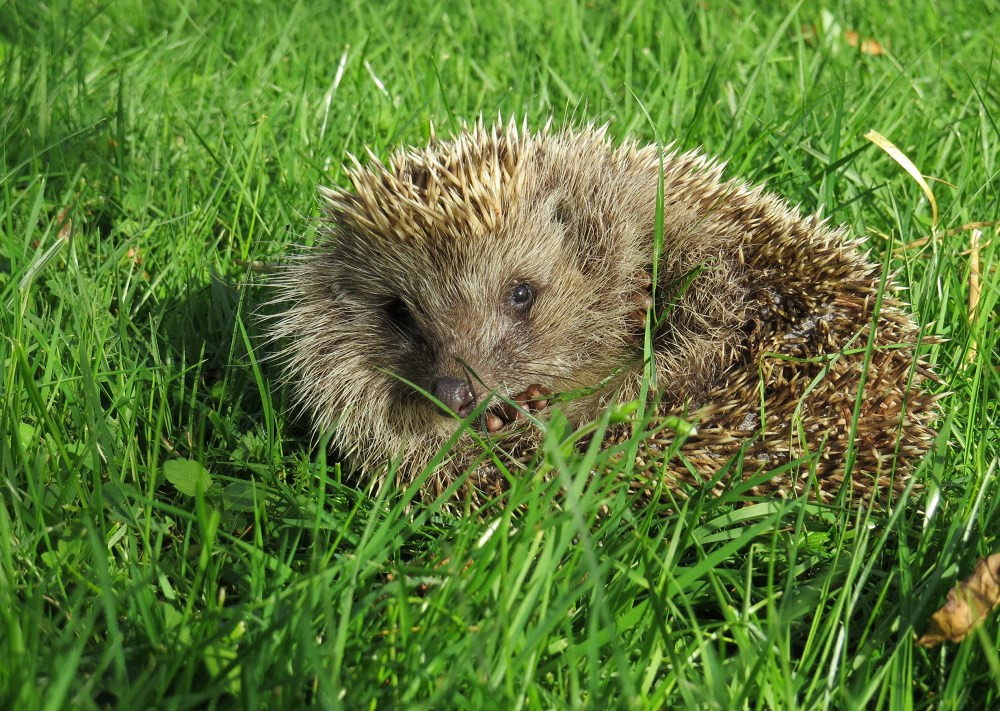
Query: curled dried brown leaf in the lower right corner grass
[969, 603]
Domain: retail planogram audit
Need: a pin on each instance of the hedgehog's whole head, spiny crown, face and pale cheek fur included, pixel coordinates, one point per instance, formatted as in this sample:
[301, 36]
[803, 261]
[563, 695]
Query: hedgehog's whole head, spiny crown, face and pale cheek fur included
[493, 263]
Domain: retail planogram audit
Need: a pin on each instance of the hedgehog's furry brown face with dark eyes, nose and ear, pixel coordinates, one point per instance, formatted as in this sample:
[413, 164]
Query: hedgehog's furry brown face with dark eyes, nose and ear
[468, 320]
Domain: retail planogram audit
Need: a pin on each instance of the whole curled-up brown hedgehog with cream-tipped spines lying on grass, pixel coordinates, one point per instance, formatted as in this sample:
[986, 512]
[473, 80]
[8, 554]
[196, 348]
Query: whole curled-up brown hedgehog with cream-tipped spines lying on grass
[500, 268]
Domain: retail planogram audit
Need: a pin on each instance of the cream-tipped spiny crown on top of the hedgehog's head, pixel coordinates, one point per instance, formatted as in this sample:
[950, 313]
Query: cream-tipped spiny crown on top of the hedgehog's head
[488, 204]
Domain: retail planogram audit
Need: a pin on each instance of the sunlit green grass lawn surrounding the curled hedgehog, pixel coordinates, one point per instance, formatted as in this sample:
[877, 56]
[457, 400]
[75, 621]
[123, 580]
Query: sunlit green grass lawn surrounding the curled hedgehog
[182, 138]
